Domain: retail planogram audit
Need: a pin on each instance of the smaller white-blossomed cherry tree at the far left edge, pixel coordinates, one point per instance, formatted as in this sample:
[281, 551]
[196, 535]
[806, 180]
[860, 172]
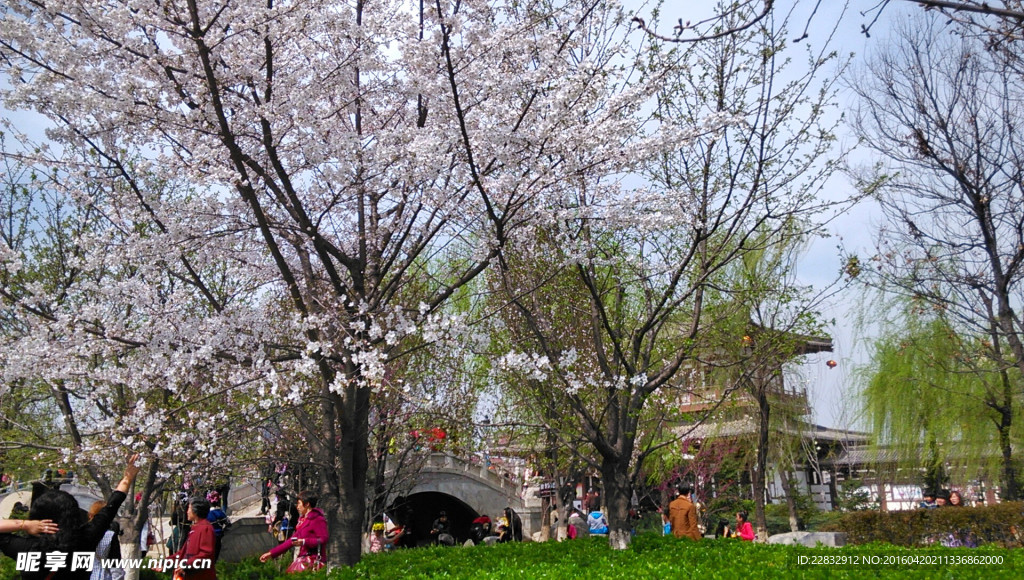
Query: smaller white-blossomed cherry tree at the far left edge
[88, 298]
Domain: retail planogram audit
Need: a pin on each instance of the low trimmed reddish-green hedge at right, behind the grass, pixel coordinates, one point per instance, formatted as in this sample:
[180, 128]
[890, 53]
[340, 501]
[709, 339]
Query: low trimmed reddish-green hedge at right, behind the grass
[990, 525]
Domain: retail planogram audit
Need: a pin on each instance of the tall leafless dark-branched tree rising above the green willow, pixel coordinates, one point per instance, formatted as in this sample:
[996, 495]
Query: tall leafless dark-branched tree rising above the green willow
[942, 112]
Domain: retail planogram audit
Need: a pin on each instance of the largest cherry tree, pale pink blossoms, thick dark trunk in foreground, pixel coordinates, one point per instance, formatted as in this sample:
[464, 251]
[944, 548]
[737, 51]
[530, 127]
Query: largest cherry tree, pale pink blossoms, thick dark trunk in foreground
[350, 169]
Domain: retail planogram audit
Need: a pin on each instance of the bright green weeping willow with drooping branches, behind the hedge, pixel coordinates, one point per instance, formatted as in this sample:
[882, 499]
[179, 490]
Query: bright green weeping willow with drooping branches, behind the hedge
[942, 398]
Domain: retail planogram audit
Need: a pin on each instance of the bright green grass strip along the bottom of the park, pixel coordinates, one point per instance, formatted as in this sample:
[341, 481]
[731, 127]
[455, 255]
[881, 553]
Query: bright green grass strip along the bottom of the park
[653, 557]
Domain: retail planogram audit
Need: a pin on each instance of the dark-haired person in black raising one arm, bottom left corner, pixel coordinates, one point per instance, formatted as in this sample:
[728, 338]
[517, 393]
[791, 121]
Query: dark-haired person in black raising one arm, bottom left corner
[75, 534]
